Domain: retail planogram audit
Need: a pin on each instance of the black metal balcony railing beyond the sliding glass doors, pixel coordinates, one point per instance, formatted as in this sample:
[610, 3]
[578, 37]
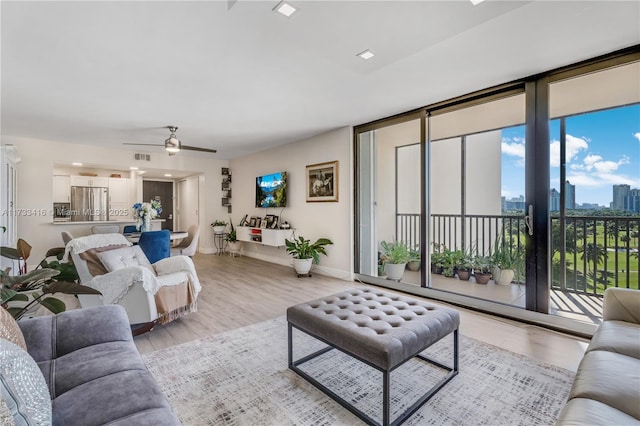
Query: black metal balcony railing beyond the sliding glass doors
[597, 252]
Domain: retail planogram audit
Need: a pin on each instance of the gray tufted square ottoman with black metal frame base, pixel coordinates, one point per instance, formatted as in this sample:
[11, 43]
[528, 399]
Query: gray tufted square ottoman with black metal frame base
[381, 329]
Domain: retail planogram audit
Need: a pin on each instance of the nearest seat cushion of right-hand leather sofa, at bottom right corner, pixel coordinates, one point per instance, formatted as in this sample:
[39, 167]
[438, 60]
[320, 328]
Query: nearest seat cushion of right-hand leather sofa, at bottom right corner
[582, 412]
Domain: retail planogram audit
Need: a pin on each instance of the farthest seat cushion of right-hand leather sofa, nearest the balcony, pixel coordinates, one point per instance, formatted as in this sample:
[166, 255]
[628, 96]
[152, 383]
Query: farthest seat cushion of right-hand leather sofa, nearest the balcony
[617, 336]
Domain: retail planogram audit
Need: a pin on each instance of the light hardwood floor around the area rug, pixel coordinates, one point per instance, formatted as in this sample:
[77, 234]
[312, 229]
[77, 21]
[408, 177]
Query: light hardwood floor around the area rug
[239, 291]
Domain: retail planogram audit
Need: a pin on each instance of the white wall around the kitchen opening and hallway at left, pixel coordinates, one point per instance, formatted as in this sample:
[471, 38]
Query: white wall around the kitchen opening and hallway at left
[35, 172]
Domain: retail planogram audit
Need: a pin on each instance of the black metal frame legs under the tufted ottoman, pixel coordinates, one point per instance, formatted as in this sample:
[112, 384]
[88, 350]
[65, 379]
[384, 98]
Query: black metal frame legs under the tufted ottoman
[386, 379]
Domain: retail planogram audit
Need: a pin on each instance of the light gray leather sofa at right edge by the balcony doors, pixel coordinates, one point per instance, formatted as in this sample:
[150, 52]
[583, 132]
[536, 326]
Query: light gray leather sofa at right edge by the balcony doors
[606, 390]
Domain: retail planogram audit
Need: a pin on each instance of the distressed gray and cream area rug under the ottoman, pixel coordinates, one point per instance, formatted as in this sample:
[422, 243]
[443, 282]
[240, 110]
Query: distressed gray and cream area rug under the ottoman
[241, 378]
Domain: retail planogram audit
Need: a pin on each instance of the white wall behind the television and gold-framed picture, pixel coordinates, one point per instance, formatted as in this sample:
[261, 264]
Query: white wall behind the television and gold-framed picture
[333, 220]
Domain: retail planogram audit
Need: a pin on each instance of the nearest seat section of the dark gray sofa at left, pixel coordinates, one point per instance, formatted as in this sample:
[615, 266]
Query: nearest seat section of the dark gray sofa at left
[118, 397]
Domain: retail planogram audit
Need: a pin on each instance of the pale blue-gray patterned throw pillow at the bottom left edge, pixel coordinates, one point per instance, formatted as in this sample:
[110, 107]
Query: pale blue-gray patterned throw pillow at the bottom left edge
[23, 387]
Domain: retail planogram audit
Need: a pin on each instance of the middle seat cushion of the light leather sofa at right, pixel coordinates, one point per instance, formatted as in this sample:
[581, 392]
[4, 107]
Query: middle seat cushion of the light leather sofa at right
[610, 378]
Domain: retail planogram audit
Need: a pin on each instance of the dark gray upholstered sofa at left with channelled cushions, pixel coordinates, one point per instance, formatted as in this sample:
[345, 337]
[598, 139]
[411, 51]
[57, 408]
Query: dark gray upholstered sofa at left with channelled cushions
[93, 369]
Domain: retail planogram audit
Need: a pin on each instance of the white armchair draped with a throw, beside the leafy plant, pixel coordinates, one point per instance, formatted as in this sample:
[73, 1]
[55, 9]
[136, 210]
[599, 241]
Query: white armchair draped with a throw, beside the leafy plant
[162, 292]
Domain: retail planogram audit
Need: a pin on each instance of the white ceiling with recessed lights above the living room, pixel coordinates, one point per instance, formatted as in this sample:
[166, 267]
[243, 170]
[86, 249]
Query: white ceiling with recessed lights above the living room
[240, 78]
